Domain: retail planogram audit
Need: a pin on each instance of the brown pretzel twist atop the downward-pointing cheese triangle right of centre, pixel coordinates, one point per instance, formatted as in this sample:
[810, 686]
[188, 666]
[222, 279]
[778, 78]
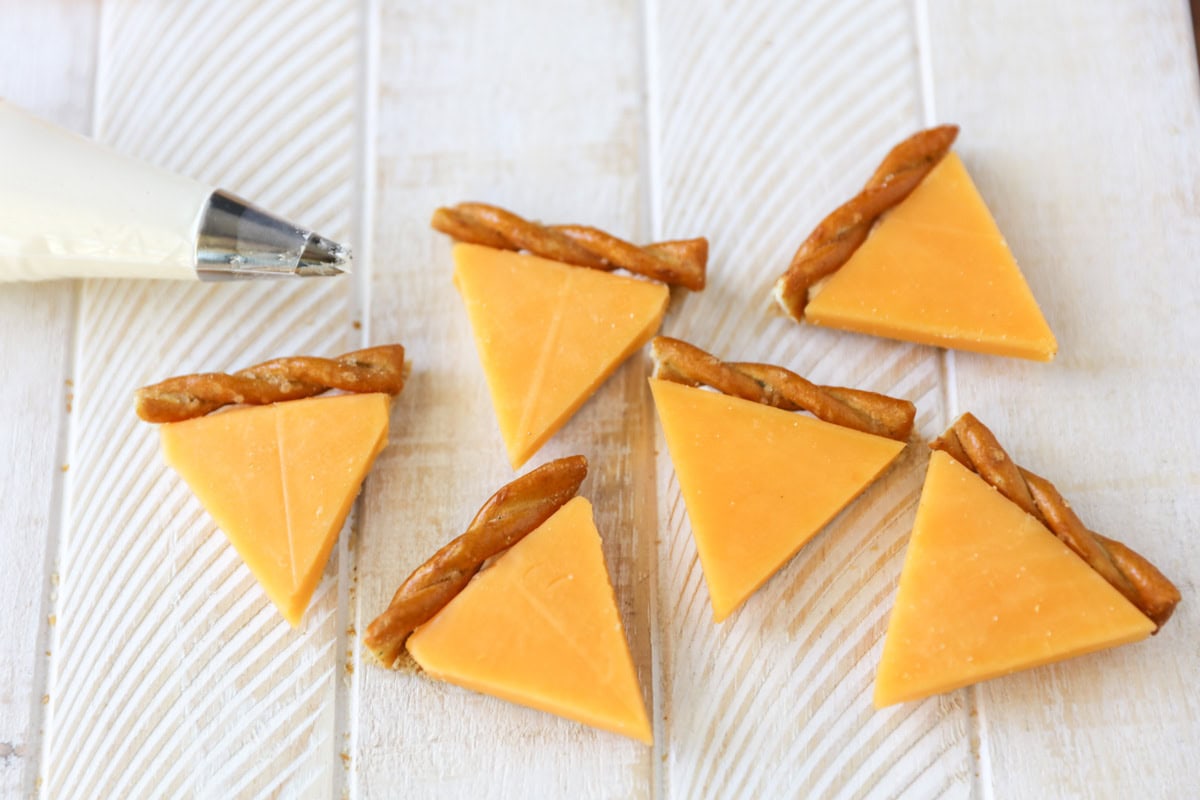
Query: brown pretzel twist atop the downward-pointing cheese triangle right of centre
[763, 383]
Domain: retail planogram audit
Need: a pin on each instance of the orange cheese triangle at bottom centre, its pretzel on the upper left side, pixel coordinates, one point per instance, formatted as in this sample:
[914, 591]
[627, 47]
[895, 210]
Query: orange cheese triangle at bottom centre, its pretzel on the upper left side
[541, 628]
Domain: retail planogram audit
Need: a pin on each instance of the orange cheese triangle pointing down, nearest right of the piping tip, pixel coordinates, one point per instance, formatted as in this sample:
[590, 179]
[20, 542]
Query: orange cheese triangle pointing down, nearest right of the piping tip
[549, 335]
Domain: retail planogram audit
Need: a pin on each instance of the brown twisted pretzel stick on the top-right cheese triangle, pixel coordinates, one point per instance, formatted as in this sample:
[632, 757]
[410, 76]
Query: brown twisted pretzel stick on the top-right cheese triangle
[842, 233]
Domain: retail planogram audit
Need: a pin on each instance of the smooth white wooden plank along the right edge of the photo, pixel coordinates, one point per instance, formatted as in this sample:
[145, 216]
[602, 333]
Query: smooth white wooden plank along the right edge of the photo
[1084, 146]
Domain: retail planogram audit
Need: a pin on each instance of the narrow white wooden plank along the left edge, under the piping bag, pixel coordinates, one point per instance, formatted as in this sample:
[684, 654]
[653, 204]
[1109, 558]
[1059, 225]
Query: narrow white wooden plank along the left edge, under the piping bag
[52, 80]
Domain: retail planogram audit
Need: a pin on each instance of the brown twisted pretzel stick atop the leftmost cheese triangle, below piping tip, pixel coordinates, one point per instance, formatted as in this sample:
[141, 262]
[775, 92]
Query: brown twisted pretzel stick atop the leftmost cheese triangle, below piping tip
[374, 370]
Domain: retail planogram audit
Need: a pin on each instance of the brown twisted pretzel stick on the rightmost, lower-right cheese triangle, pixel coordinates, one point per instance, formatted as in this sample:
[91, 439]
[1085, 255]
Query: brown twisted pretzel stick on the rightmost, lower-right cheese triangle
[975, 447]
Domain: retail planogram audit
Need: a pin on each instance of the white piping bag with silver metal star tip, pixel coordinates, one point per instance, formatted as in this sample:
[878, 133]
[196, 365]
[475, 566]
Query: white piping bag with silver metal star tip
[71, 208]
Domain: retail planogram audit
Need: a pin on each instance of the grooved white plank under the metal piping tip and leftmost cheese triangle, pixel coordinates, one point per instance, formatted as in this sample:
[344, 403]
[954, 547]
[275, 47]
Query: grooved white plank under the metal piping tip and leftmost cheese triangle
[172, 673]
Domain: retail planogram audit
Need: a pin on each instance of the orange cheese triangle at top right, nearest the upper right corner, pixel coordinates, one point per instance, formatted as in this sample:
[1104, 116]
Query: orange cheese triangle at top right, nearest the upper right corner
[937, 270]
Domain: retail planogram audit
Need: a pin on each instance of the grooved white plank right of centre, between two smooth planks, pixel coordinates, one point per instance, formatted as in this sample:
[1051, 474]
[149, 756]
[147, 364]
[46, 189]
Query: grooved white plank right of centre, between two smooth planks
[767, 117]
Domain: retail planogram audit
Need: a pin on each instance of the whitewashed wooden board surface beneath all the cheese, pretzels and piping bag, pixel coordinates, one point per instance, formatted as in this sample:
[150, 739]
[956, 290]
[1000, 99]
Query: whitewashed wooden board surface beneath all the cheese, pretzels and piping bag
[137, 657]
